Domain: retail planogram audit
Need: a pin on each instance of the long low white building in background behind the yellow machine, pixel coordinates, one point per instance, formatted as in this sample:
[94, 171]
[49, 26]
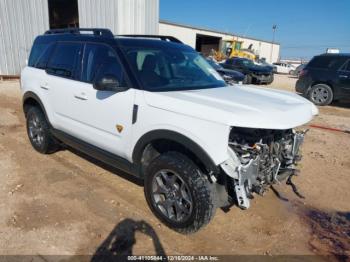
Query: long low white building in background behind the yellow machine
[204, 40]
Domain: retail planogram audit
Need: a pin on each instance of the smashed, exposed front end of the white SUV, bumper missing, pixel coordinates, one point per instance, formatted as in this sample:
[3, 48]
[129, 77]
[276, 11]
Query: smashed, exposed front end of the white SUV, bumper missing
[258, 159]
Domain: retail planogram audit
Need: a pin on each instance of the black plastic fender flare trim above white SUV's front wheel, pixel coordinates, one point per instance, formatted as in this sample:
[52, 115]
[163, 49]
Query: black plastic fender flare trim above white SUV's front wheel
[178, 138]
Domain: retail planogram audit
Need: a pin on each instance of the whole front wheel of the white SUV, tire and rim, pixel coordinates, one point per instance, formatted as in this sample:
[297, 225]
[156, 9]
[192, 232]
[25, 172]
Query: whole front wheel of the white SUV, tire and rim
[178, 193]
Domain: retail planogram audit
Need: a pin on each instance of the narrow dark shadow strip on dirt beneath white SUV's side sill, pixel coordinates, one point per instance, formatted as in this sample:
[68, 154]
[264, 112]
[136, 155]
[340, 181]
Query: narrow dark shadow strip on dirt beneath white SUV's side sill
[109, 168]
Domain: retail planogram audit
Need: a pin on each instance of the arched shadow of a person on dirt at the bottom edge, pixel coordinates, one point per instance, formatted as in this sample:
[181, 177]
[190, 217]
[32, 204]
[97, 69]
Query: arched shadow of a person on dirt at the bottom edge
[120, 242]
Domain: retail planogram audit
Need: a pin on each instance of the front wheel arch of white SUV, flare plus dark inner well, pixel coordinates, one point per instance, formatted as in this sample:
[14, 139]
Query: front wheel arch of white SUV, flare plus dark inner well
[151, 144]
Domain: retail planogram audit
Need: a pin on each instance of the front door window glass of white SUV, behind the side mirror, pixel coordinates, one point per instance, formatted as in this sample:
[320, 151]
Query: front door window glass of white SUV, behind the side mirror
[100, 59]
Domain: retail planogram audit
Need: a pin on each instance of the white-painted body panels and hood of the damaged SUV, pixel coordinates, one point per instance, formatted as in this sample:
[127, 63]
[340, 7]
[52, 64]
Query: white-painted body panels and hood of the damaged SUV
[204, 116]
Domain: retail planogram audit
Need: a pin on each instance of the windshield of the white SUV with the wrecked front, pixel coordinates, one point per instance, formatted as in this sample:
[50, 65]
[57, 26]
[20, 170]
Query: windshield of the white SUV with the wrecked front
[170, 69]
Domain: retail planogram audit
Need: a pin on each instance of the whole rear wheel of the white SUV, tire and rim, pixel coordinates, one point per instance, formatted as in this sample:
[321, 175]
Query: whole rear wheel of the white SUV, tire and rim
[39, 132]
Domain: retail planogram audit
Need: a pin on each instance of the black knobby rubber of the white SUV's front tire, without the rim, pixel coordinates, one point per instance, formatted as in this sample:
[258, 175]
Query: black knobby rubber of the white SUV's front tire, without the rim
[200, 189]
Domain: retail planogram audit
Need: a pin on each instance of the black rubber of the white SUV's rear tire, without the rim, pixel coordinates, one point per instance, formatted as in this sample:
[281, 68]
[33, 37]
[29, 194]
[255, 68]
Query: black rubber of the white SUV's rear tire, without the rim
[49, 144]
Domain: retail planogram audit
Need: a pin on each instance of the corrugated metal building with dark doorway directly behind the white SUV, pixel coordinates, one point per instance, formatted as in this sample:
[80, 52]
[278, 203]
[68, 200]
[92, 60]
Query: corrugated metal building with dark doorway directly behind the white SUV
[22, 20]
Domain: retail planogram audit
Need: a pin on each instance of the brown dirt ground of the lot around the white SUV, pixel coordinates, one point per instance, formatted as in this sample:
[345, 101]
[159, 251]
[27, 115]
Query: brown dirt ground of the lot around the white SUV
[67, 204]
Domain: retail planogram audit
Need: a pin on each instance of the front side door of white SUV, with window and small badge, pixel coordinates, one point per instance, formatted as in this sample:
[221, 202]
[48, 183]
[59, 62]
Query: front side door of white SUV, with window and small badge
[101, 118]
